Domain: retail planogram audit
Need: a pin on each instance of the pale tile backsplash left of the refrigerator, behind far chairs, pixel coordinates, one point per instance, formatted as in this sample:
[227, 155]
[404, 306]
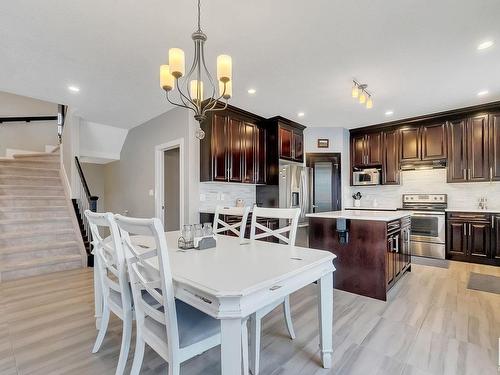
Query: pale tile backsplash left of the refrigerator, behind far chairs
[213, 194]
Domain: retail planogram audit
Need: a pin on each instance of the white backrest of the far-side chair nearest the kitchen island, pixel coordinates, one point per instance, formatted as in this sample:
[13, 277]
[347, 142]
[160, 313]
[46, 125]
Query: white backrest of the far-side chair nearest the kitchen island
[290, 214]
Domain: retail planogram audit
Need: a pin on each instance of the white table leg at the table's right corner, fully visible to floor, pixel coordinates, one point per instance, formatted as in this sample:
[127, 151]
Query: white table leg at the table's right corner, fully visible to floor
[325, 309]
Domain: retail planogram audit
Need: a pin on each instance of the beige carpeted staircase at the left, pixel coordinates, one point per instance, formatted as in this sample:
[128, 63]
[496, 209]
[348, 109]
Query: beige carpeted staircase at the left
[38, 230]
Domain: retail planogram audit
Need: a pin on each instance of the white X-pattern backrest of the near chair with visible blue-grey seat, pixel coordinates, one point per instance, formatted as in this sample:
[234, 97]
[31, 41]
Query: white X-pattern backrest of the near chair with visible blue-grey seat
[150, 244]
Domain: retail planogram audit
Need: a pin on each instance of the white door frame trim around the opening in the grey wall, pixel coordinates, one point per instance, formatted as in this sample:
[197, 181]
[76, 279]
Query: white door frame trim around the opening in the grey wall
[160, 178]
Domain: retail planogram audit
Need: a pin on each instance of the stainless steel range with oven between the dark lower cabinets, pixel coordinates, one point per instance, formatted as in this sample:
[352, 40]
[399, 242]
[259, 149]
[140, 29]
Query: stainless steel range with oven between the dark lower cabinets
[428, 231]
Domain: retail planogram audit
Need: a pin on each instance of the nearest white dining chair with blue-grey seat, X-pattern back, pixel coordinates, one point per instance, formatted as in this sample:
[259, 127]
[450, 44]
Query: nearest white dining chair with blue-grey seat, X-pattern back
[176, 331]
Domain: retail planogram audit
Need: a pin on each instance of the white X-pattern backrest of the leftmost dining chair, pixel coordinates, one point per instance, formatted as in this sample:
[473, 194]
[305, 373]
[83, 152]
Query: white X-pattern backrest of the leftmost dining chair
[109, 258]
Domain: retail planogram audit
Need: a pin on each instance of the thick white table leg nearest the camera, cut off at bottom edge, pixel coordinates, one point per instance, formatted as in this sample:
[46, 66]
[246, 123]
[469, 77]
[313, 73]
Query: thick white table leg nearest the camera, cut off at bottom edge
[231, 346]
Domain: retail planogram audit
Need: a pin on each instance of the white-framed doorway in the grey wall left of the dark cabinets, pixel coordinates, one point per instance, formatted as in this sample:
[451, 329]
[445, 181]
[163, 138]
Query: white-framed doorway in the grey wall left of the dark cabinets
[169, 194]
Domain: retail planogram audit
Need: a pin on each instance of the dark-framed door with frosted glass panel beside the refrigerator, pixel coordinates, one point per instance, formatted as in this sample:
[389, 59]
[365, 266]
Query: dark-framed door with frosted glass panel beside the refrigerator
[326, 185]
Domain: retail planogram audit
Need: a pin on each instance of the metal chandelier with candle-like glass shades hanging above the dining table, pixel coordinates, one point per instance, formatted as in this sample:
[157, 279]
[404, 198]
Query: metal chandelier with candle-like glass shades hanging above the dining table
[190, 87]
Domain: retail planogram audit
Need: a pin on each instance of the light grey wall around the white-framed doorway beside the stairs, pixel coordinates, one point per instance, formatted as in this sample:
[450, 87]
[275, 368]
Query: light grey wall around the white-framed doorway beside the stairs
[129, 180]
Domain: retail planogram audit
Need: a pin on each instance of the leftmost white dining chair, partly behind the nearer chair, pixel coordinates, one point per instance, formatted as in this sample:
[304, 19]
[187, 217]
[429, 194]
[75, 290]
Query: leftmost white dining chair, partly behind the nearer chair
[111, 268]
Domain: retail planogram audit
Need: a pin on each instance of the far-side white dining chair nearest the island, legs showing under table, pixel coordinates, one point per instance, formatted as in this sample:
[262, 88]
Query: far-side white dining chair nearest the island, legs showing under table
[286, 234]
